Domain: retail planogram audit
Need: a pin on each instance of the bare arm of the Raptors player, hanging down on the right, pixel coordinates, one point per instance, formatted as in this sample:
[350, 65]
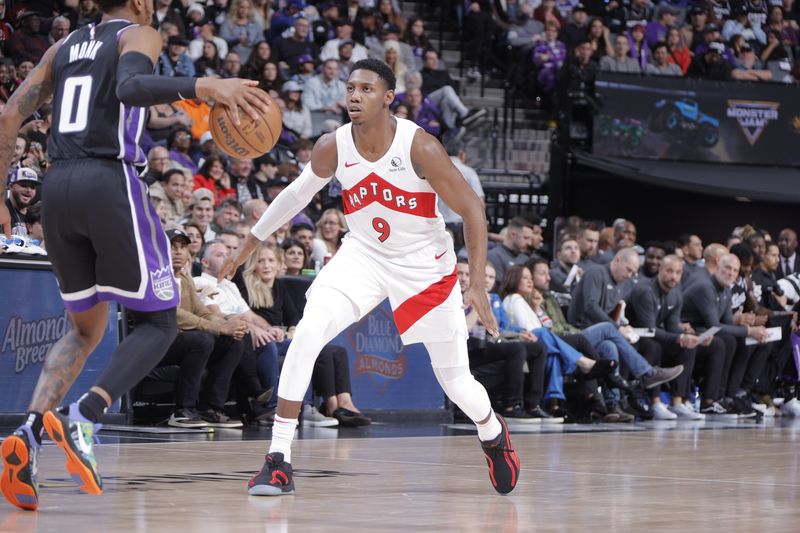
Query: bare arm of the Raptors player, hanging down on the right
[432, 163]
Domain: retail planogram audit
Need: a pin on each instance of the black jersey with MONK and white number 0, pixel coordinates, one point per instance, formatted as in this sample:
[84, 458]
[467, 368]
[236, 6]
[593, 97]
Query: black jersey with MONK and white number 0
[88, 119]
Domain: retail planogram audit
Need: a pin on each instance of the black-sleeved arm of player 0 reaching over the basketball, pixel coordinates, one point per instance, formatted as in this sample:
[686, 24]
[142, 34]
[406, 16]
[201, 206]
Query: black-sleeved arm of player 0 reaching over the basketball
[139, 48]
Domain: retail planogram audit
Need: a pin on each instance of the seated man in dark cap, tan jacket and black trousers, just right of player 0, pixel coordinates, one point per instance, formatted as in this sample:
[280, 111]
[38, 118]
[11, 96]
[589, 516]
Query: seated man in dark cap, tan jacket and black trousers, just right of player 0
[205, 341]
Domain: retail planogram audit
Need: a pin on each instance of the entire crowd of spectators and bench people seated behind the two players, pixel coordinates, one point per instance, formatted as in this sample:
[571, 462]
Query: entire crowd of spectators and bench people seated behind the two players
[563, 340]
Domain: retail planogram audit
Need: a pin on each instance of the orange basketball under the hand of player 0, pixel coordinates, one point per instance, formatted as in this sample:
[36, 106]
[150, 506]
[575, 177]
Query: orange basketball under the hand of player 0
[252, 138]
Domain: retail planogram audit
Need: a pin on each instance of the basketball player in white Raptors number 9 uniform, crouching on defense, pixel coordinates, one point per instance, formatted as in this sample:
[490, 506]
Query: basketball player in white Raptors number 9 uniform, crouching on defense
[391, 172]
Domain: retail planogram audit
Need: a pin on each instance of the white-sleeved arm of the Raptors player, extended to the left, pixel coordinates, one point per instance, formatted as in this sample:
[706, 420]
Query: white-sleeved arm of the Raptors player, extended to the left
[289, 201]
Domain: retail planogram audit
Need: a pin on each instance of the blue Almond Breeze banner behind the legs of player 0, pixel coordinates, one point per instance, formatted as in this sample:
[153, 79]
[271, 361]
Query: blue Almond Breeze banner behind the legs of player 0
[32, 319]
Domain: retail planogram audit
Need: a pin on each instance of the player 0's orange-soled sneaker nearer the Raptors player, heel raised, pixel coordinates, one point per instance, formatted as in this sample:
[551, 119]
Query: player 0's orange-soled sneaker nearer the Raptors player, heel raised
[74, 434]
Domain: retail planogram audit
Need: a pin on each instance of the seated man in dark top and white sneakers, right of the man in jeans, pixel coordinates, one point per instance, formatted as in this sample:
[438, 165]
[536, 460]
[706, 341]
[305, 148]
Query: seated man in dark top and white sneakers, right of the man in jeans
[656, 304]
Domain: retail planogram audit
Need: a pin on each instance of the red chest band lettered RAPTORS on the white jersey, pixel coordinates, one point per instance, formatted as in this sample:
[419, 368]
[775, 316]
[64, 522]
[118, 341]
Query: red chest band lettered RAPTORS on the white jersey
[373, 188]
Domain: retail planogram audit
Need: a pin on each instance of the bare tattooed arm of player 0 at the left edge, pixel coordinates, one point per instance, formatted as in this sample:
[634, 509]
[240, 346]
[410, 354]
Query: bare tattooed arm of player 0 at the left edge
[28, 97]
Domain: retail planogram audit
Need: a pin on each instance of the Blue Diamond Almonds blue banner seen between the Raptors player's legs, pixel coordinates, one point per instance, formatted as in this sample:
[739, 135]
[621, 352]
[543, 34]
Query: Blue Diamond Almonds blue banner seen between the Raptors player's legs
[384, 373]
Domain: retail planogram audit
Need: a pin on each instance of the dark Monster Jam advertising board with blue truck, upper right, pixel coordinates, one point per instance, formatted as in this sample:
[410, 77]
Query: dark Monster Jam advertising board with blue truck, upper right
[692, 120]
